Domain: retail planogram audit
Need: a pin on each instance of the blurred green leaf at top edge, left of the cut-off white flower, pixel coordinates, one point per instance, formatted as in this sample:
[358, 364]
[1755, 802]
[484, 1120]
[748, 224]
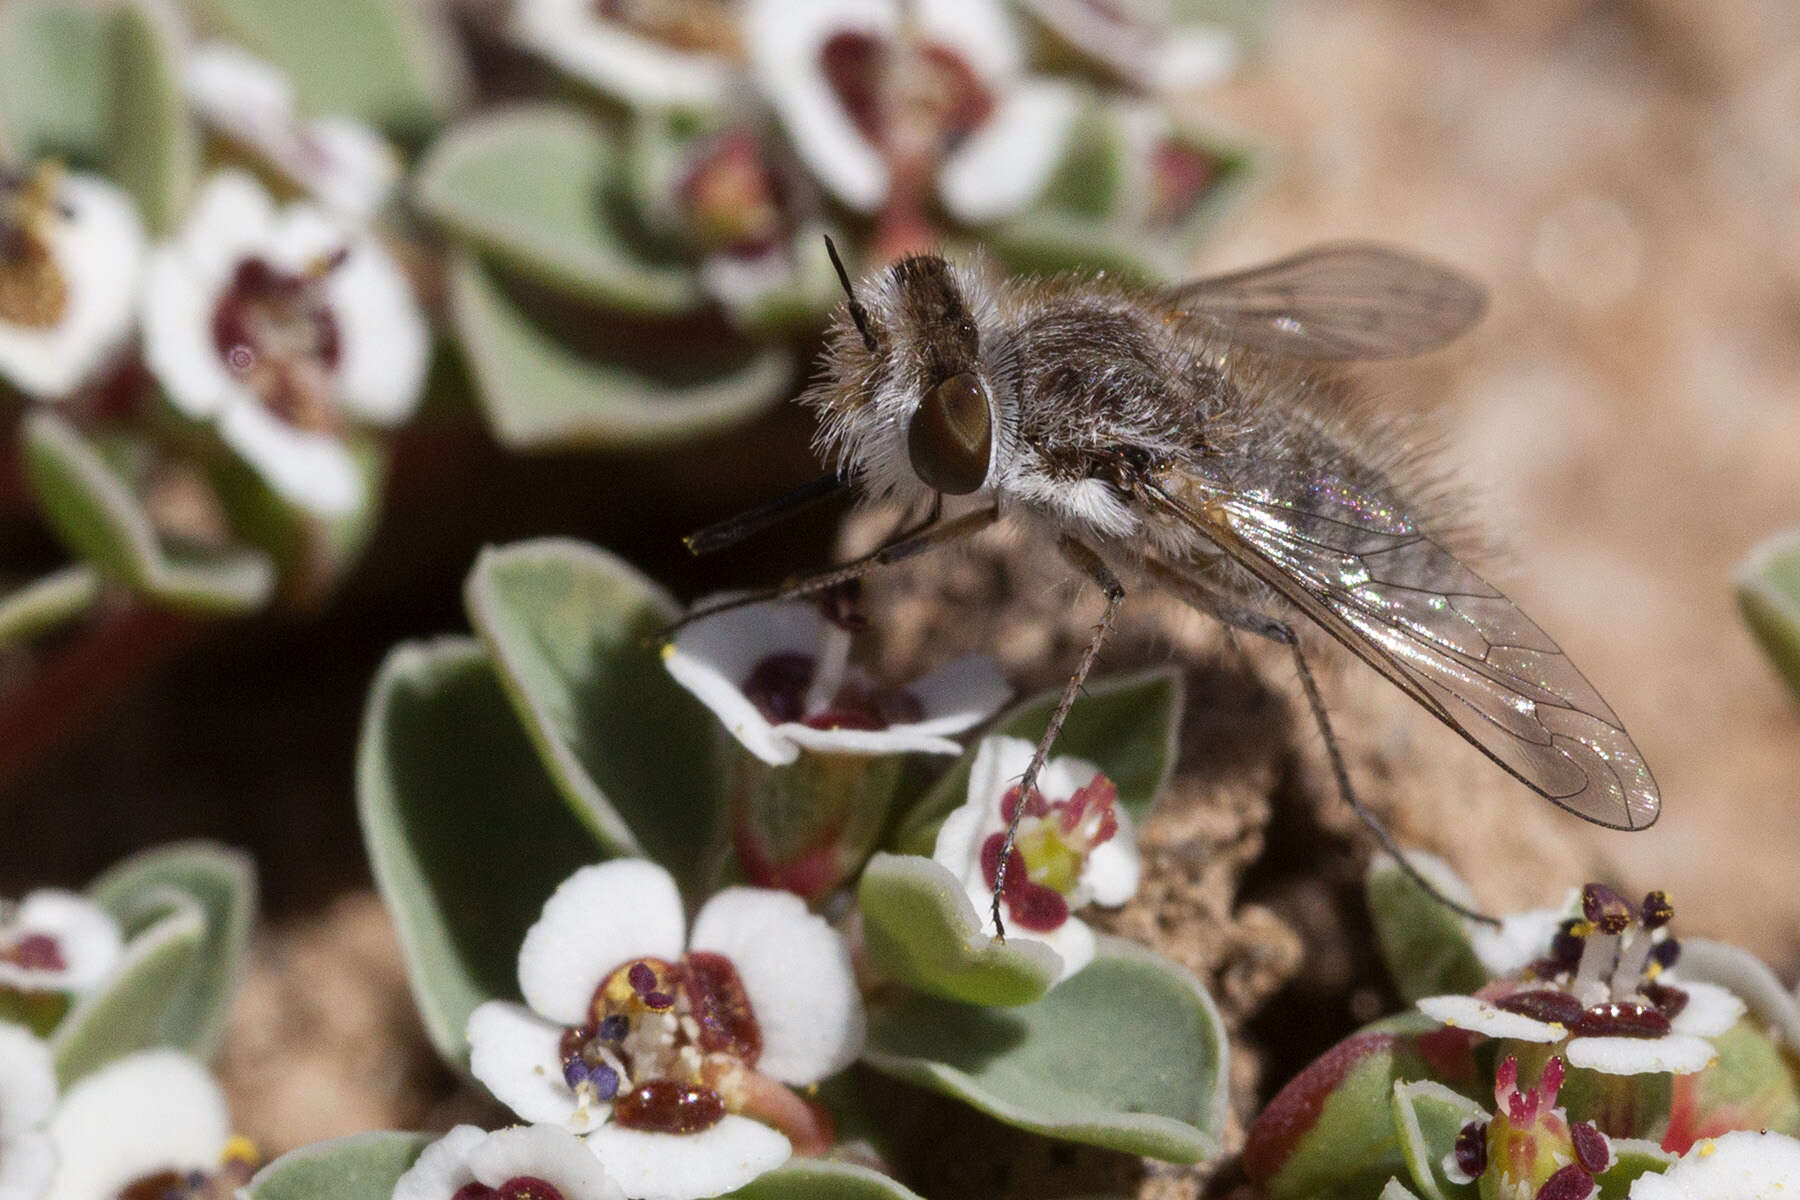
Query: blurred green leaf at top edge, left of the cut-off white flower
[388, 62]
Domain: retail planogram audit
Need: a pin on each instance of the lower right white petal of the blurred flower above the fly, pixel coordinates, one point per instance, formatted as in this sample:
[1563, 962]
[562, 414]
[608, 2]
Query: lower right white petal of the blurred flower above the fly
[1003, 166]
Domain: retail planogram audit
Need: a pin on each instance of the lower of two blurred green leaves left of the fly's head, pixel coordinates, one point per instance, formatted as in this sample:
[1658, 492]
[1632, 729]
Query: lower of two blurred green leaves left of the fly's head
[539, 393]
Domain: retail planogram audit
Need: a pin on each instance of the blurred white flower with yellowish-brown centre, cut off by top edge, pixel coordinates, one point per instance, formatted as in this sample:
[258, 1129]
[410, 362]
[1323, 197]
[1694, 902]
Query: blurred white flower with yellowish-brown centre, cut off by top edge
[651, 53]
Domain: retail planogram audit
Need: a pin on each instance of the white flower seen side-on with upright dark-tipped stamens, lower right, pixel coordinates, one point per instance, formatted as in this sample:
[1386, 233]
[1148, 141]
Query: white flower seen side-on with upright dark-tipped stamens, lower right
[1601, 981]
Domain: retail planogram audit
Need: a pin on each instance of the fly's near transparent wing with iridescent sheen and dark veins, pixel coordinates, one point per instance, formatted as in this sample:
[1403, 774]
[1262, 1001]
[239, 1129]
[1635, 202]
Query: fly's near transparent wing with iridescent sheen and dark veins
[1435, 629]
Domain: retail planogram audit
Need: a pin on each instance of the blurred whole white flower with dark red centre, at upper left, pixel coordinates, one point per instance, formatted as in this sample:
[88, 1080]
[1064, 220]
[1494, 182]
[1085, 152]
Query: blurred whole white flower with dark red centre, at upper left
[283, 328]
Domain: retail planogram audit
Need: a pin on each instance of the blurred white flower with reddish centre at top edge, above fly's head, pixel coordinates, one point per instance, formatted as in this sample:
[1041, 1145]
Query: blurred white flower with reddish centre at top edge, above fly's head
[885, 96]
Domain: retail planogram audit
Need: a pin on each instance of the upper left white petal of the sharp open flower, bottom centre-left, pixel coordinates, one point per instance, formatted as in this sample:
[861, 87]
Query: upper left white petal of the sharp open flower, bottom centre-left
[597, 922]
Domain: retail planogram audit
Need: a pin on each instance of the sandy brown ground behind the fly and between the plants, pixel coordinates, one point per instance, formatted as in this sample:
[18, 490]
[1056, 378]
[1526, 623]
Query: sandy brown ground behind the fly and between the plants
[1626, 177]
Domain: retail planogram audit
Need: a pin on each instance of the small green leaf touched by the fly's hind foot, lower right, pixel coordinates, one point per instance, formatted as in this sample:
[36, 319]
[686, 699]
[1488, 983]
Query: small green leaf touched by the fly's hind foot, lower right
[1425, 945]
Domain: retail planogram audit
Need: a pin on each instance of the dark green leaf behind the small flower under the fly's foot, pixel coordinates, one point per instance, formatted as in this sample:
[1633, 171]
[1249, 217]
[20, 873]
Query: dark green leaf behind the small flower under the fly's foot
[1124, 724]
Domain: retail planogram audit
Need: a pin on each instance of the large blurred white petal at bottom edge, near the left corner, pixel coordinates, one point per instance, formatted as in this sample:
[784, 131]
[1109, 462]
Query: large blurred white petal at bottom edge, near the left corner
[157, 1111]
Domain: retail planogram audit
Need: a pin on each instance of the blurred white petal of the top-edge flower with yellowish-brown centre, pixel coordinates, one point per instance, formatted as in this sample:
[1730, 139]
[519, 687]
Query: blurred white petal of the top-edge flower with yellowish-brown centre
[618, 60]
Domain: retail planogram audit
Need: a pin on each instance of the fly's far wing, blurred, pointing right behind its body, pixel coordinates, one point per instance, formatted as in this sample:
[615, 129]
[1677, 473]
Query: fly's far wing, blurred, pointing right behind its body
[1338, 303]
